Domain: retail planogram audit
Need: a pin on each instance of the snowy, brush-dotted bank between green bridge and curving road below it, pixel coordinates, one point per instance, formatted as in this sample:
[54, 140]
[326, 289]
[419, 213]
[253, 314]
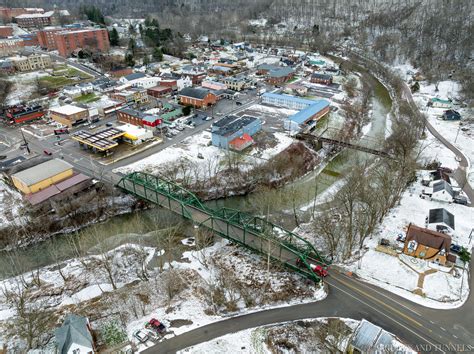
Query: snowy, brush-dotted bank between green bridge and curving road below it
[195, 310]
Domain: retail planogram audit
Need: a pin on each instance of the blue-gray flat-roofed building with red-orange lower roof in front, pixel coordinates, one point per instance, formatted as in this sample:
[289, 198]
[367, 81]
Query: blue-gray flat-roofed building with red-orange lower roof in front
[226, 130]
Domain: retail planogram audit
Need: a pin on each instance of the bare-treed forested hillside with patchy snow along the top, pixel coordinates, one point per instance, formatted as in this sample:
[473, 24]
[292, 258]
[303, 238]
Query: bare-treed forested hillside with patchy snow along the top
[435, 35]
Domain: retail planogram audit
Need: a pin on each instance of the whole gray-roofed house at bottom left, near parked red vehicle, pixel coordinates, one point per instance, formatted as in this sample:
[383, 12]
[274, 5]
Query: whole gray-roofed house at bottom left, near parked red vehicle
[74, 336]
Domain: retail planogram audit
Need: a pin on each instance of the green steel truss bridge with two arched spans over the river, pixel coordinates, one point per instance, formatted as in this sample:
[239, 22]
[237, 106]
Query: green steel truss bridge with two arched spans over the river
[253, 232]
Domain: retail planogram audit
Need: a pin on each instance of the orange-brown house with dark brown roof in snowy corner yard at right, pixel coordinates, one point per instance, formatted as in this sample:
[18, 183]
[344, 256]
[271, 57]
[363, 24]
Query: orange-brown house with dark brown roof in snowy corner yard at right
[427, 244]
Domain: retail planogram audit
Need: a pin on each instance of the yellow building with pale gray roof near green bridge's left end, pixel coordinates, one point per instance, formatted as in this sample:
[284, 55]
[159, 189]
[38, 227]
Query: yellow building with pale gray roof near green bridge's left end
[42, 176]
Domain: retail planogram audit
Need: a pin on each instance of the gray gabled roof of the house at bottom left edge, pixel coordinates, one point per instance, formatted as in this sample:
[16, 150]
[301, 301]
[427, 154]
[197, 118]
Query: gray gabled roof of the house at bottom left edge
[73, 331]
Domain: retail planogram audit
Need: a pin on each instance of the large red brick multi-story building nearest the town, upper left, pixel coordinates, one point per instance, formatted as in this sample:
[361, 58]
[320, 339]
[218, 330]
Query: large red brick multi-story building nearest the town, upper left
[90, 38]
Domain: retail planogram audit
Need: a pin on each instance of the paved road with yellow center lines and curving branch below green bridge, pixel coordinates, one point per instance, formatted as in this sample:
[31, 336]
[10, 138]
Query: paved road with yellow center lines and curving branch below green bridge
[424, 329]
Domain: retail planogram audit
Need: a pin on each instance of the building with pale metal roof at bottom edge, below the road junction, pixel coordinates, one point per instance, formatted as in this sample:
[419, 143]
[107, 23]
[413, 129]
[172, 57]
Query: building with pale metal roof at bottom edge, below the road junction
[369, 338]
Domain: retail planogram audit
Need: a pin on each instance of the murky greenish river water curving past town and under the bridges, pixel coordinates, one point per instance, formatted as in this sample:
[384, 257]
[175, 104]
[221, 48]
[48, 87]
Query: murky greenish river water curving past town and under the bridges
[277, 204]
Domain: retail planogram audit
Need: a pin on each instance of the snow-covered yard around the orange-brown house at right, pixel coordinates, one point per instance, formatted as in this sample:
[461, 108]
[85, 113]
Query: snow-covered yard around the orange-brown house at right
[400, 273]
